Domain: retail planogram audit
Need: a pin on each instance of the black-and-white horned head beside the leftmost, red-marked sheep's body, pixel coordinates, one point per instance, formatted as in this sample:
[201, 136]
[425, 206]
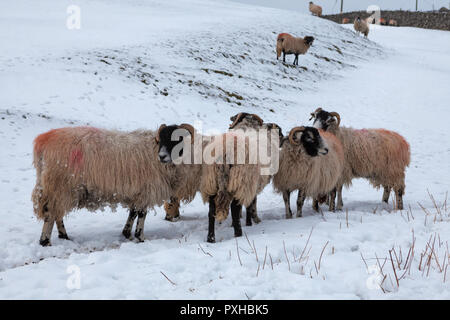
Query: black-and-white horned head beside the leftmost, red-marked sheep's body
[169, 137]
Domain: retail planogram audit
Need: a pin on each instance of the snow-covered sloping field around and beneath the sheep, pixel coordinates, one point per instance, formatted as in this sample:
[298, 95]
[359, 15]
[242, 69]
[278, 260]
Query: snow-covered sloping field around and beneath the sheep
[137, 64]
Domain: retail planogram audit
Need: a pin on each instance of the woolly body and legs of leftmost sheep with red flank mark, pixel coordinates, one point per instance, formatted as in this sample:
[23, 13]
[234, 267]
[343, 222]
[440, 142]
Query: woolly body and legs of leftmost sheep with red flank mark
[86, 167]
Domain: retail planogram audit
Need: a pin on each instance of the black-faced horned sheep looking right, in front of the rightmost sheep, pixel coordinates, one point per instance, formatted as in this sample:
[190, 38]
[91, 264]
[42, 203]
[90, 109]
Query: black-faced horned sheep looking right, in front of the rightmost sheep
[311, 161]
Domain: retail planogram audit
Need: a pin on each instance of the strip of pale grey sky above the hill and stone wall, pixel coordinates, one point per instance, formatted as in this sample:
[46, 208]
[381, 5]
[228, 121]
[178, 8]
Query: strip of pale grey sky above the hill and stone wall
[333, 6]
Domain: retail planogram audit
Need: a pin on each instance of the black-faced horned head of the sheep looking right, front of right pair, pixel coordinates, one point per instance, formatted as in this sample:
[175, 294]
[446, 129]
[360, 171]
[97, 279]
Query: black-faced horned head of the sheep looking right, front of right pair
[310, 139]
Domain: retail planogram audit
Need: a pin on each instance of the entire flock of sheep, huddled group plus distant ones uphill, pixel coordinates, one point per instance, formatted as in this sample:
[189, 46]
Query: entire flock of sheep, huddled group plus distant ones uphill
[86, 167]
